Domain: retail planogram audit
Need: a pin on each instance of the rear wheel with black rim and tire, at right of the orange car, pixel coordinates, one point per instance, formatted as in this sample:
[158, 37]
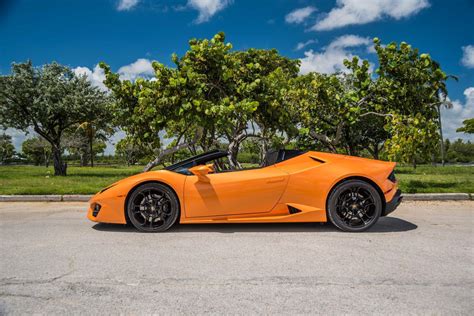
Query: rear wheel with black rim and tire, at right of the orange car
[354, 206]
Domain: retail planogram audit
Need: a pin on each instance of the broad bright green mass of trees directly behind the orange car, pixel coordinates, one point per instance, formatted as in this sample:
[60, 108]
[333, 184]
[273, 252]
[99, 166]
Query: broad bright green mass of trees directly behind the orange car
[216, 95]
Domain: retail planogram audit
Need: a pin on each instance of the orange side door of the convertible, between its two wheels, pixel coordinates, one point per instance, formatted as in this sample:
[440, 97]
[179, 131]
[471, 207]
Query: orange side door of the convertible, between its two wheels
[234, 193]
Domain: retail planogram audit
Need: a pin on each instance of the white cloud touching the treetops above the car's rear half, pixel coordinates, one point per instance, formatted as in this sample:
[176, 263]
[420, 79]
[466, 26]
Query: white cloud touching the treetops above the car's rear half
[331, 58]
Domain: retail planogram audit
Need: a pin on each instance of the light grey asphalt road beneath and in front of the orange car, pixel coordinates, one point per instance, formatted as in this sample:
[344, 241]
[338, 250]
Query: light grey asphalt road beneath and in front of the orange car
[420, 260]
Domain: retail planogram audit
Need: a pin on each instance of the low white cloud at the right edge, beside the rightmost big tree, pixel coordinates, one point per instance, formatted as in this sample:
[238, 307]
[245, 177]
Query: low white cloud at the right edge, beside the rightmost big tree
[452, 118]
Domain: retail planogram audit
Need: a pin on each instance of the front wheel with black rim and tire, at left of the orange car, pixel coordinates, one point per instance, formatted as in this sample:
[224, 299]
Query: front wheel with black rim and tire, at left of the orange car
[153, 207]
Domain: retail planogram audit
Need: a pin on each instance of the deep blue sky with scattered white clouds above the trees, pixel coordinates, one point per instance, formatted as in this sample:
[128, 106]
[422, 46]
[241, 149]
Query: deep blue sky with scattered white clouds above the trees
[128, 34]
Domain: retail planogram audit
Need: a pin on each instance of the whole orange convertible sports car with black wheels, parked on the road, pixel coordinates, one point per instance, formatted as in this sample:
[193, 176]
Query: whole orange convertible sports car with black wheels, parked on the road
[289, 186]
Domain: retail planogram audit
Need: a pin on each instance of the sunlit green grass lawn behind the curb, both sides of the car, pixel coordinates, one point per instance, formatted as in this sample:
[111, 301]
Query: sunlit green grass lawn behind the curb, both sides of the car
[86, 180]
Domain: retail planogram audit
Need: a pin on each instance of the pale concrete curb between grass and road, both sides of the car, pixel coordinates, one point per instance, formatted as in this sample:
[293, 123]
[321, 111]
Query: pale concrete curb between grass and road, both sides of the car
[86, 198]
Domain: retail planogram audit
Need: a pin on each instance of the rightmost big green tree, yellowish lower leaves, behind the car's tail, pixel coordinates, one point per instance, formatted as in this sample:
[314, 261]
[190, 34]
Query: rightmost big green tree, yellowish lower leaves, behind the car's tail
[410, 88]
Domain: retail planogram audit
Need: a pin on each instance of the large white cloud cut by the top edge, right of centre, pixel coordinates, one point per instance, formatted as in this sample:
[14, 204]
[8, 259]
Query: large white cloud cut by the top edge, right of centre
[350, 12]
